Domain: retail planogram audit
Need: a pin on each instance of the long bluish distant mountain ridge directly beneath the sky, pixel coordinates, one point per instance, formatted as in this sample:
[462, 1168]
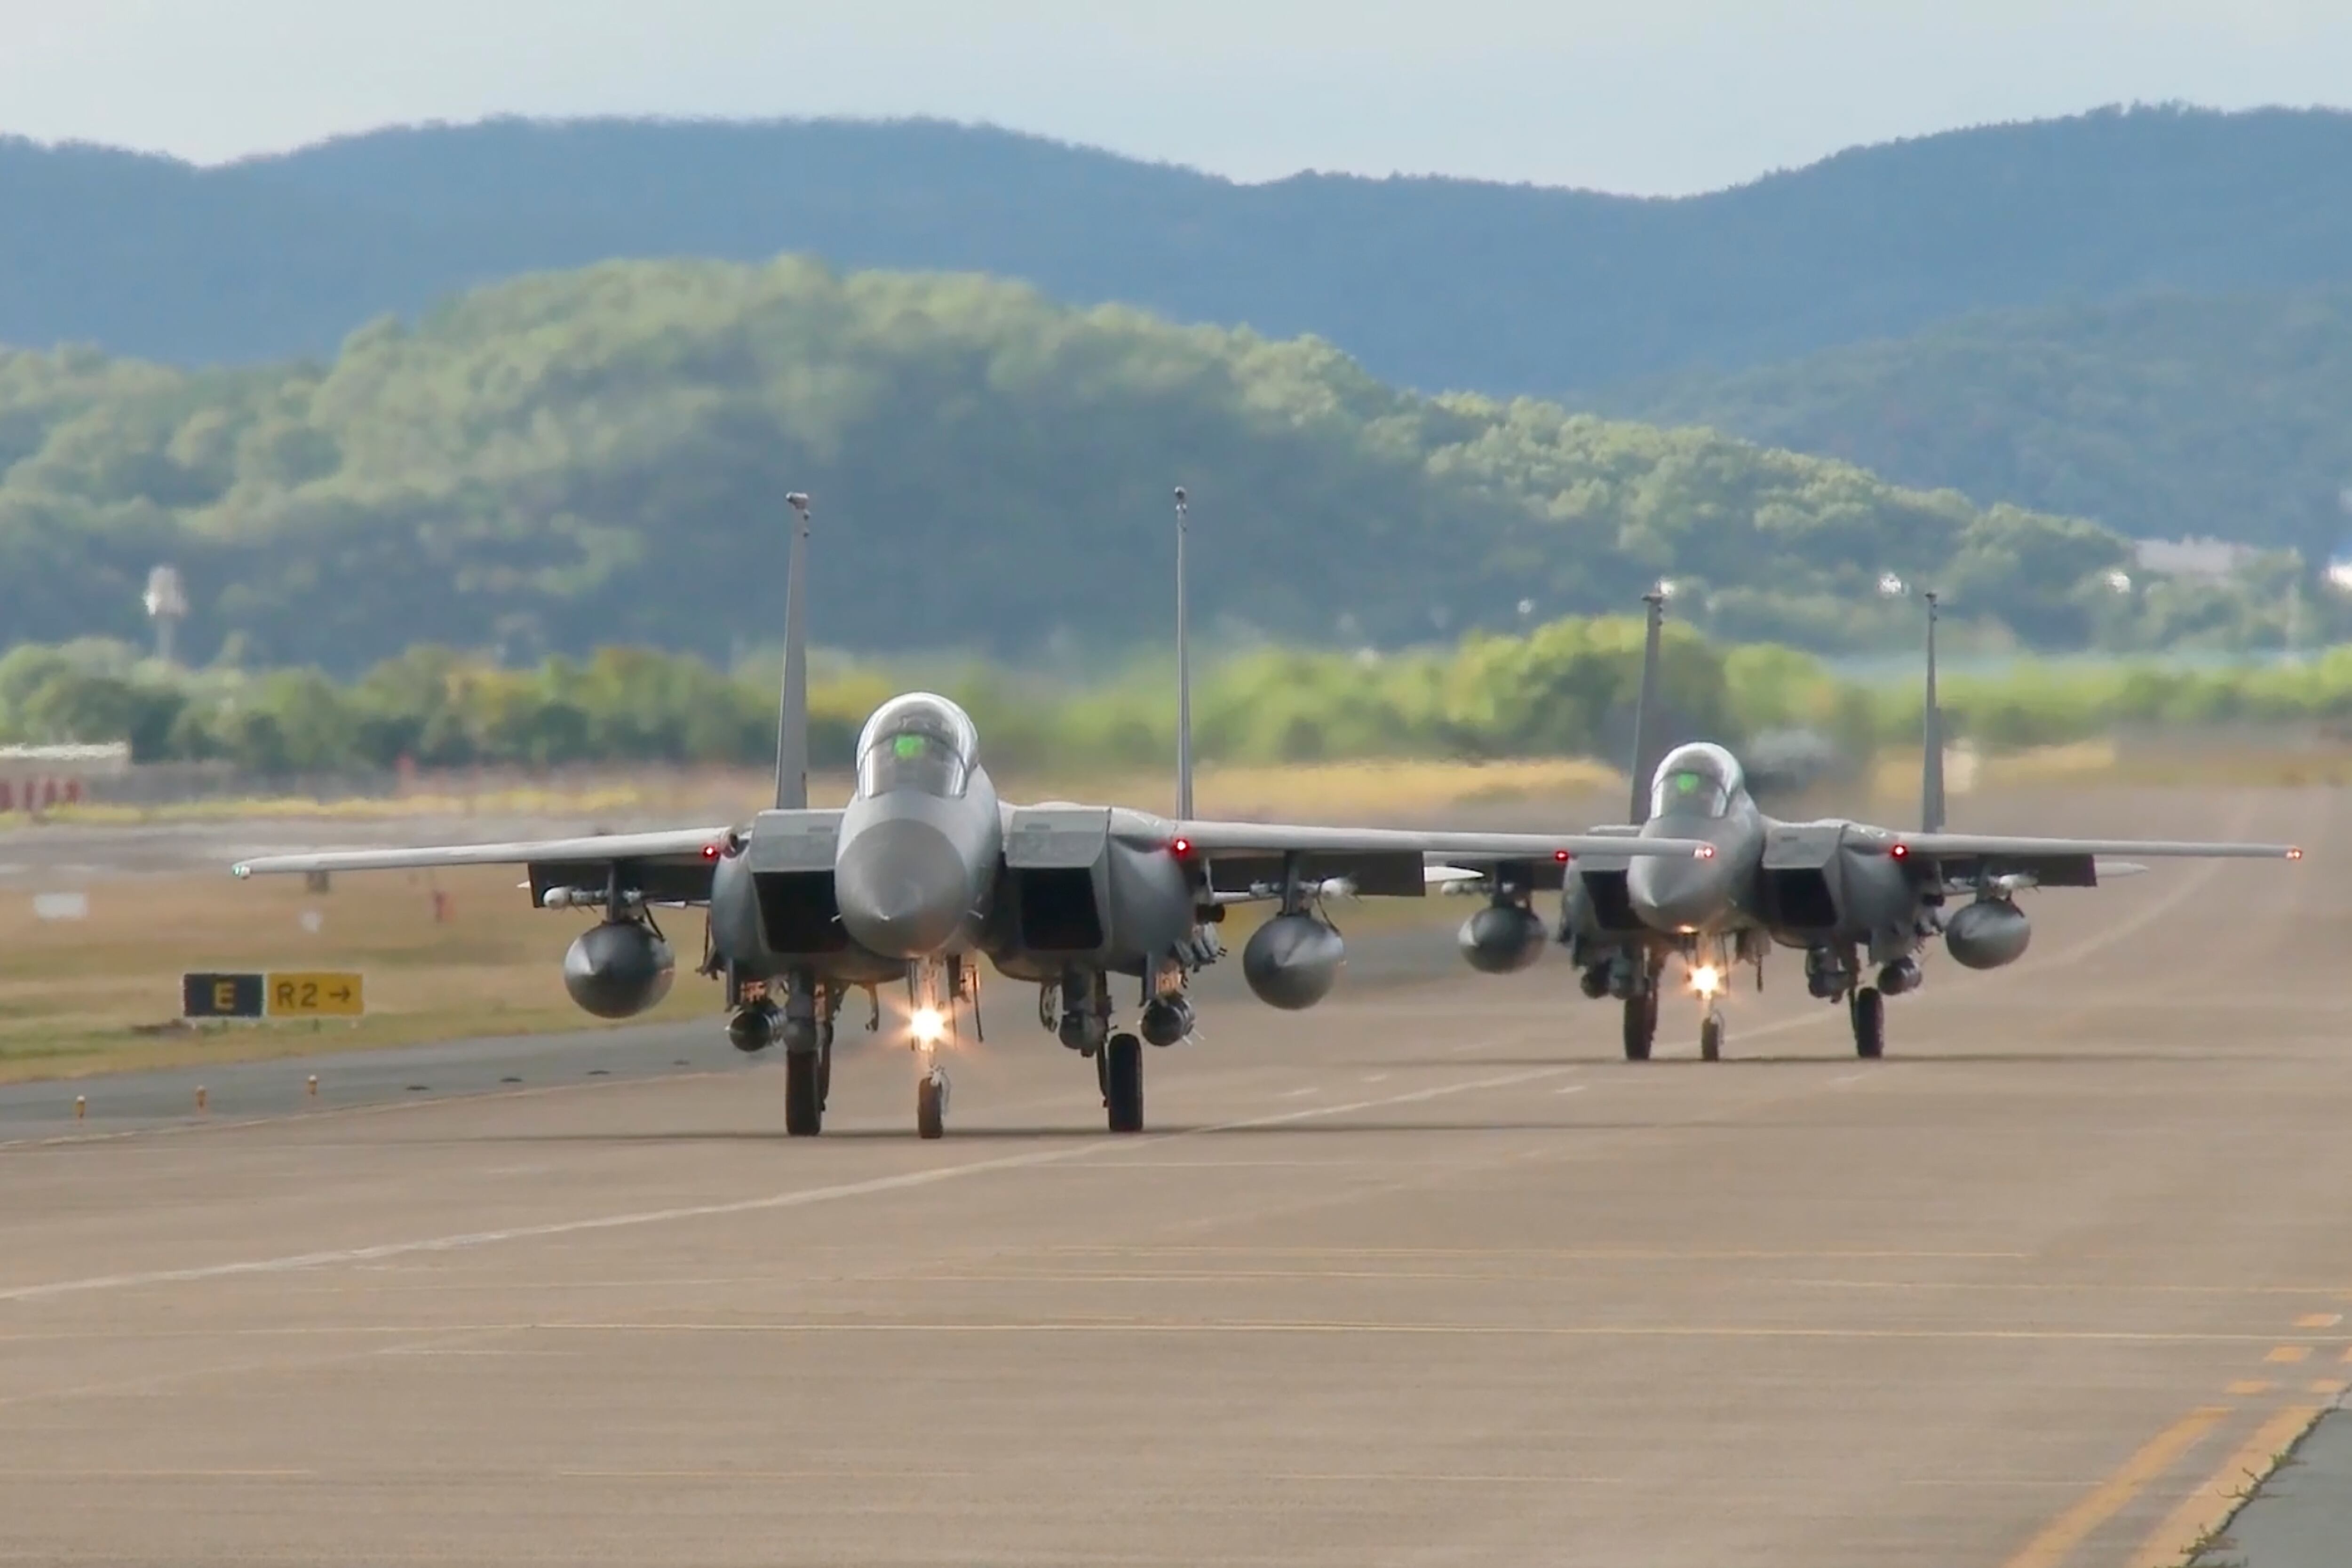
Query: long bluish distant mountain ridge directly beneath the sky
[1426, 281]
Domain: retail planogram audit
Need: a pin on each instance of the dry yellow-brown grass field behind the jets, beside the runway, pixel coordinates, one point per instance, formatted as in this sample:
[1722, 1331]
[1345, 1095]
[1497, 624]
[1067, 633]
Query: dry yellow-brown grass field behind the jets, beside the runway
[102, 993]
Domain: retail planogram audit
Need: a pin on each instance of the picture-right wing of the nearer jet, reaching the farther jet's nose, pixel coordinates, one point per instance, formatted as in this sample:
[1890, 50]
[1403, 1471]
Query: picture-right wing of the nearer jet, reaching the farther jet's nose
[1396, 862]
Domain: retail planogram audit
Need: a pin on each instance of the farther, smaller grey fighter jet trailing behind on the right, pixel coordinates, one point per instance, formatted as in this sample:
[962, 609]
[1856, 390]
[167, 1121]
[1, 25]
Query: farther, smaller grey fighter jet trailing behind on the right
[1862, 904]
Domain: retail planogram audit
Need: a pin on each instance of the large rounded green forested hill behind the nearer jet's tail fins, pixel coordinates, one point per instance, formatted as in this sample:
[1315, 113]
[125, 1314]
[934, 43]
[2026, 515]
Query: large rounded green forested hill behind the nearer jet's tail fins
[601, 457]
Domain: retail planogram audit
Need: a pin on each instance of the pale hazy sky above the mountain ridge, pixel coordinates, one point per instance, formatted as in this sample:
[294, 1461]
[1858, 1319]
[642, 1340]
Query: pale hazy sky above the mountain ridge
[1624, 95]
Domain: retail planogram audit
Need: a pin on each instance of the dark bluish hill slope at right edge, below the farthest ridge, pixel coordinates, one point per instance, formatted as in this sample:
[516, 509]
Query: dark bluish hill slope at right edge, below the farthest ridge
[2165, 417]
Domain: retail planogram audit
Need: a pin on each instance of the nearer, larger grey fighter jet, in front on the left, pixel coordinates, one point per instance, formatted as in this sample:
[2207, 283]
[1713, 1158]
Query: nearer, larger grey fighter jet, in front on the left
[928, 871]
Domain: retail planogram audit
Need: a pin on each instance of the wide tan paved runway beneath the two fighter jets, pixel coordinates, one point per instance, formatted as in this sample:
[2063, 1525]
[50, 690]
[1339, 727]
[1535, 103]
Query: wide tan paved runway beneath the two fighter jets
[1422, 1278]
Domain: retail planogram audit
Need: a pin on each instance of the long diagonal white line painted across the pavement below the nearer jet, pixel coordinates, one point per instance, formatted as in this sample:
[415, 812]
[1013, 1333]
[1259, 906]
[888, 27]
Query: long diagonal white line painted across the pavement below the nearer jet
[711, 1212]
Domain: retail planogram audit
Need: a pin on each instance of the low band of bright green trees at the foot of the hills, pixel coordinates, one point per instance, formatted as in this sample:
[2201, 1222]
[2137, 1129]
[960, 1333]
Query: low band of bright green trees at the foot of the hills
[1558, 690]
